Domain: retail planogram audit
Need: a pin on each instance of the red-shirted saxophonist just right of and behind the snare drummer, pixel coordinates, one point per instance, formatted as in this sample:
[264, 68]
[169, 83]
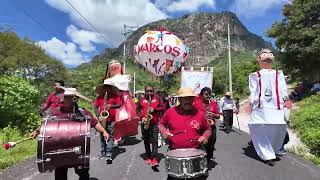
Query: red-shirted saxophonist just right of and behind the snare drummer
[204, 103]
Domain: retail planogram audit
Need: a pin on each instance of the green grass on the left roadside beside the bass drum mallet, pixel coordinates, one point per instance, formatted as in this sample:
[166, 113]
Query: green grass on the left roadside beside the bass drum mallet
[18, 153]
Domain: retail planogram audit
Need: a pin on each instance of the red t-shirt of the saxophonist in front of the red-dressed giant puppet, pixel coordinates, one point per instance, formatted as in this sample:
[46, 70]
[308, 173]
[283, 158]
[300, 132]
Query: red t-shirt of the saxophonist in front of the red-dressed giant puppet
[112, 100]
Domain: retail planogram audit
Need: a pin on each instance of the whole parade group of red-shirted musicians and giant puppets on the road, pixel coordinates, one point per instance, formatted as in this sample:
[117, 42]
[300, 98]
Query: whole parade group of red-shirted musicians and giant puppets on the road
[185, 120]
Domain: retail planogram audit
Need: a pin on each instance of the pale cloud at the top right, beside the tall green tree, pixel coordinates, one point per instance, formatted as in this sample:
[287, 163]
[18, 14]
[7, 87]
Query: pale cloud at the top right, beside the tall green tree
[254, 8]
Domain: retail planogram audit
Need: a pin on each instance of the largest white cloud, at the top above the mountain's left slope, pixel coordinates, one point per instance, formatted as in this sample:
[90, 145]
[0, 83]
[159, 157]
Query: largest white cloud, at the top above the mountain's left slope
[108, 17]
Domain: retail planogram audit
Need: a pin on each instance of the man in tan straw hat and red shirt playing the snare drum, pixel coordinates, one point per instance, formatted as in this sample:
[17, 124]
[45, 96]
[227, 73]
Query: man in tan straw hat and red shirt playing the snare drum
[184, 125]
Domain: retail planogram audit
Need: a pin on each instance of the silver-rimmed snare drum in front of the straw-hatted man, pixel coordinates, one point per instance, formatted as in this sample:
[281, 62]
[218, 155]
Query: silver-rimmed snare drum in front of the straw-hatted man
[186, 163]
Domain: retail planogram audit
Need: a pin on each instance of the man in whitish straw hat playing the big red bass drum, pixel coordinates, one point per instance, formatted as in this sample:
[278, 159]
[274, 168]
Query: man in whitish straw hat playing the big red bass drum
[69, 106]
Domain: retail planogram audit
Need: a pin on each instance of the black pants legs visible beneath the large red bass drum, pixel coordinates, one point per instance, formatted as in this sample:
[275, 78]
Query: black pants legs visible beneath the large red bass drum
[62, 173]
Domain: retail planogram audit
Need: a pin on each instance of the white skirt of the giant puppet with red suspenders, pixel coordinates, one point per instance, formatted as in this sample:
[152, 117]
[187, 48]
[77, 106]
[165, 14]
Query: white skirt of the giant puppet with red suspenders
[267, 139]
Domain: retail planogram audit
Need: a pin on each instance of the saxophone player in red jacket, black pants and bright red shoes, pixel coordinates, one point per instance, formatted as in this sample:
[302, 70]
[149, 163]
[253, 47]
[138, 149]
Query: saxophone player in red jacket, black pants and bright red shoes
[152, 104]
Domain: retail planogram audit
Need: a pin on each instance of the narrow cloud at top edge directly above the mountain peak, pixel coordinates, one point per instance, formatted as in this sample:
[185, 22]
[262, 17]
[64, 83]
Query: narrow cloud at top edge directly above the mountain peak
[189, 5]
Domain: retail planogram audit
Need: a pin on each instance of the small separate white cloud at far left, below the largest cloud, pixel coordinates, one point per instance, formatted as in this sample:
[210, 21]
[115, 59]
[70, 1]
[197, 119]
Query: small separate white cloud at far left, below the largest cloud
[66, 52]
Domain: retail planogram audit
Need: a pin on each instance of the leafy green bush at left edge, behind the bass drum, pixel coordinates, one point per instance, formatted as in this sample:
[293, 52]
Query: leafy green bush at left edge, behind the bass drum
[19, 104]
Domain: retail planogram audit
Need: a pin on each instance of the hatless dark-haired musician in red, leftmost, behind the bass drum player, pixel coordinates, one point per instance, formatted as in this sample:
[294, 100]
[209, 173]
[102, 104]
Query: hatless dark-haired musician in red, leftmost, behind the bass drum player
[55, 98]
